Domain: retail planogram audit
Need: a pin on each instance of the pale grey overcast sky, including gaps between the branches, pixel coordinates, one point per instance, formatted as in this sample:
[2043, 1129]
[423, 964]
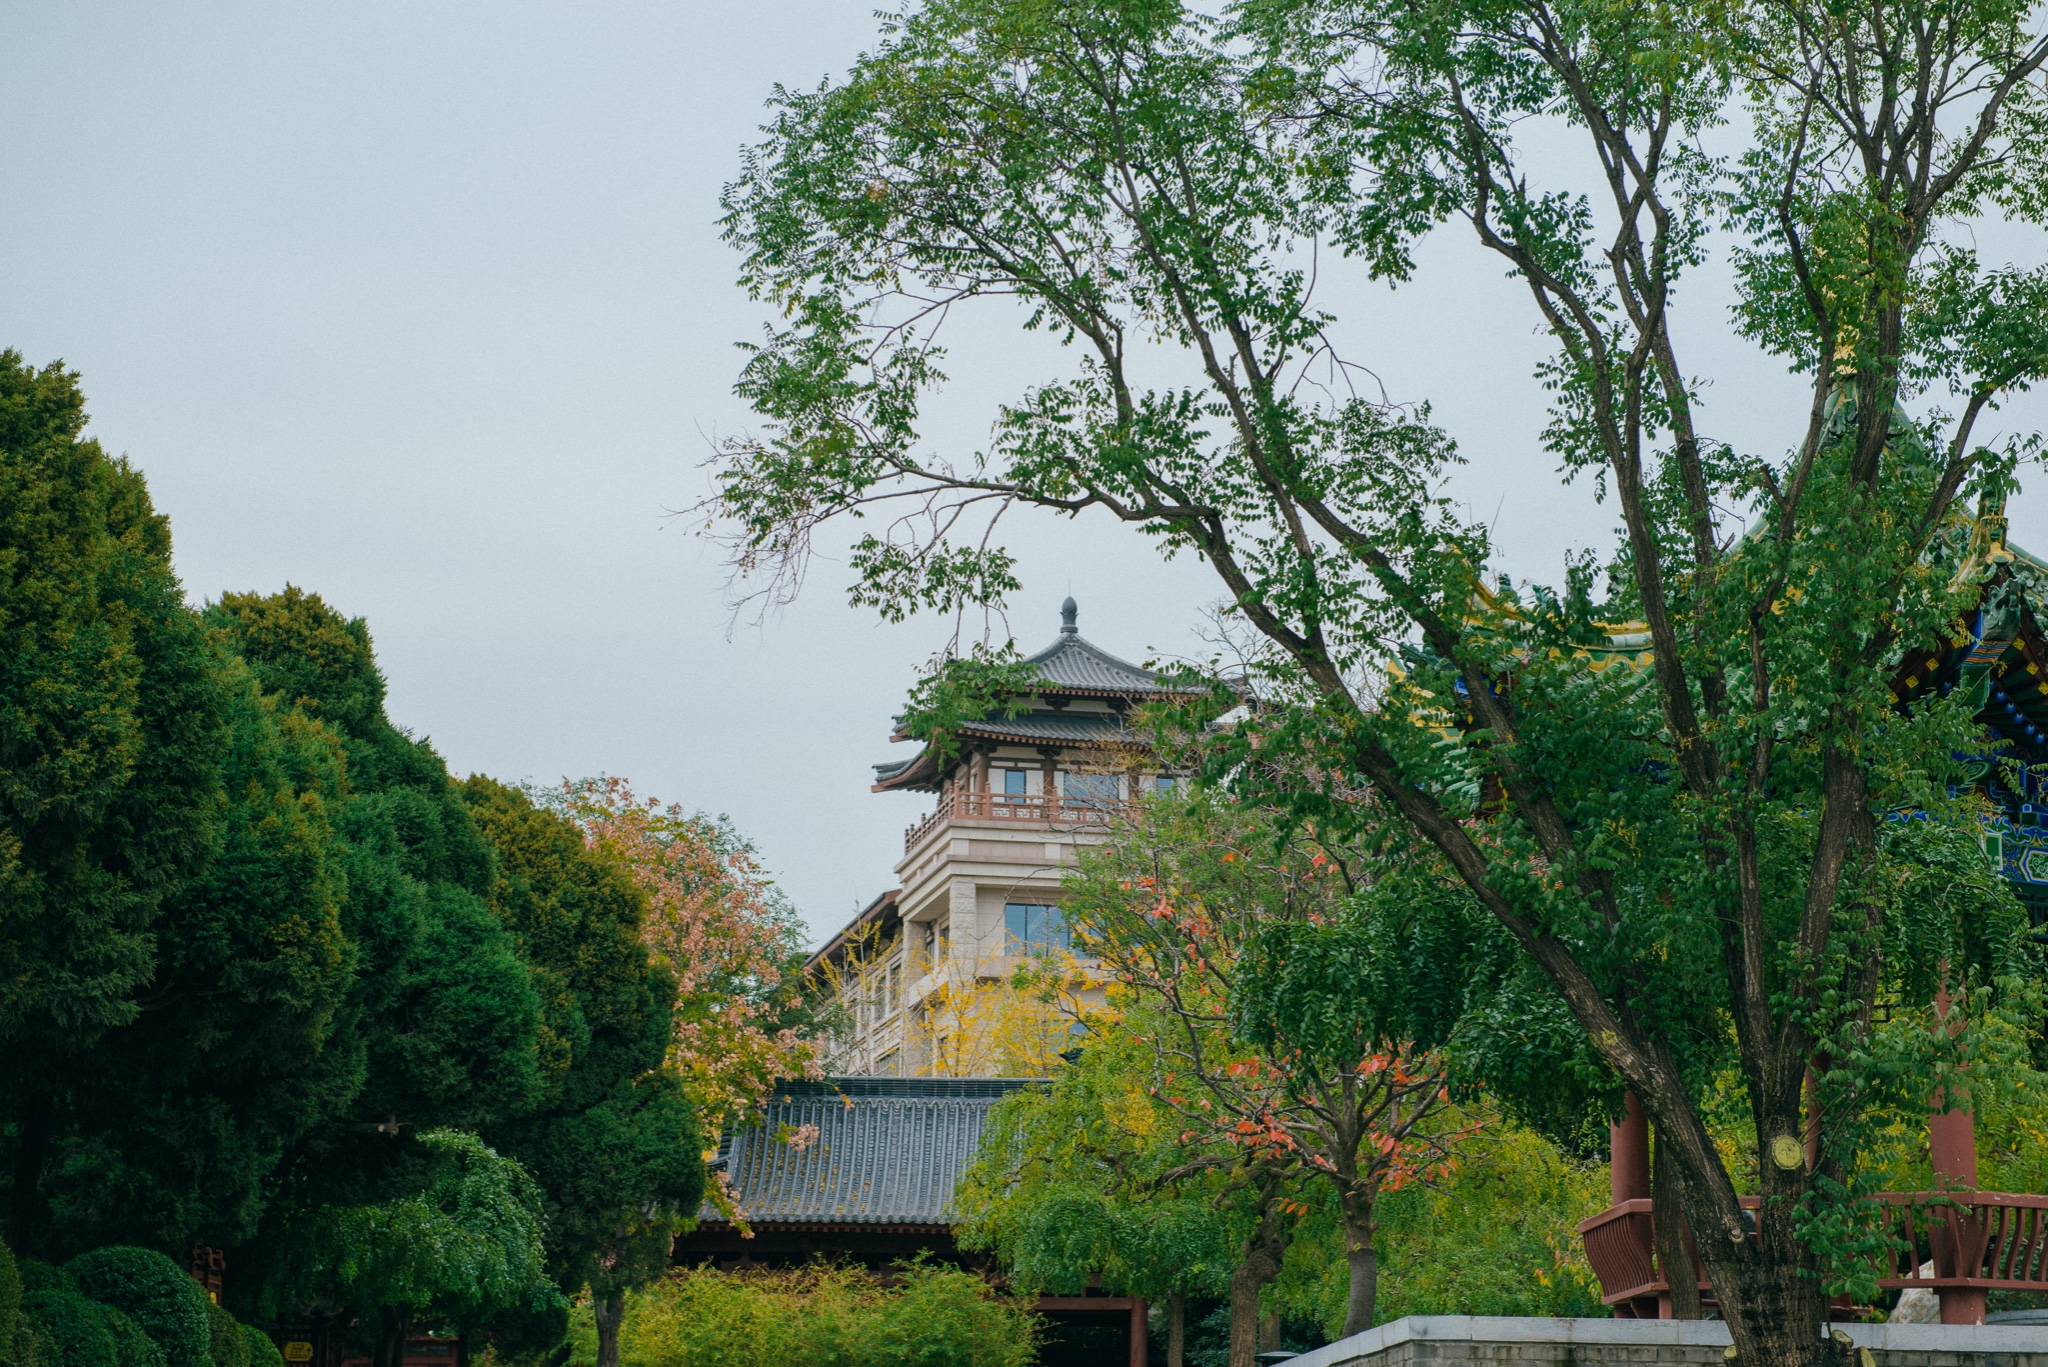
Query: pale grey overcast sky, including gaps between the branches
[423, 306]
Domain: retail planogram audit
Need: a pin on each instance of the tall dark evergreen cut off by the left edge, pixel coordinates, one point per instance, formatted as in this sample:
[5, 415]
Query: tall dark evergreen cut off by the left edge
[112, 720]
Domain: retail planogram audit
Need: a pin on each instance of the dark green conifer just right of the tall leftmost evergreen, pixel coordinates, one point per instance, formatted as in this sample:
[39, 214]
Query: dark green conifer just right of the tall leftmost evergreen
[171, 1126]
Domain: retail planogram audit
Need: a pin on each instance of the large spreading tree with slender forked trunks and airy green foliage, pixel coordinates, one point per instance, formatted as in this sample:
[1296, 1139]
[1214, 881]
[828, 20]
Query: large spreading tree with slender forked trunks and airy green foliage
[1689, 768]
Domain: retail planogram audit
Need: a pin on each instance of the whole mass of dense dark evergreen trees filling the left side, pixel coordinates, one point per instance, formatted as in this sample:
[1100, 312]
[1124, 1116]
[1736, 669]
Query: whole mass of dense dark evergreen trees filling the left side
[271, 981]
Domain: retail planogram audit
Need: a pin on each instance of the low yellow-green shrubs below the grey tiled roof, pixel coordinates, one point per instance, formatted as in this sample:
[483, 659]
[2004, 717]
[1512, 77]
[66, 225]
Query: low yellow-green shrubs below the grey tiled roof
[824, 1317]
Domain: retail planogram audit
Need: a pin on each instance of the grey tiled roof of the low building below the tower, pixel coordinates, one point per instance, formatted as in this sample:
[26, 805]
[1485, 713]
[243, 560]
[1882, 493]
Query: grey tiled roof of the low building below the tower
[888, 1151]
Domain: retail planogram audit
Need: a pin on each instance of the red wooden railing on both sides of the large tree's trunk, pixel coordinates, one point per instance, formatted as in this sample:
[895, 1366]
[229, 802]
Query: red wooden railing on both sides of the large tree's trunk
[1988, 1241]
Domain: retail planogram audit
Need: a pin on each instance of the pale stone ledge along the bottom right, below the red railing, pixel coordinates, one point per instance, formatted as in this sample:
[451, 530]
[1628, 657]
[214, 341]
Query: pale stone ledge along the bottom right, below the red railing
[1631, 1343]
